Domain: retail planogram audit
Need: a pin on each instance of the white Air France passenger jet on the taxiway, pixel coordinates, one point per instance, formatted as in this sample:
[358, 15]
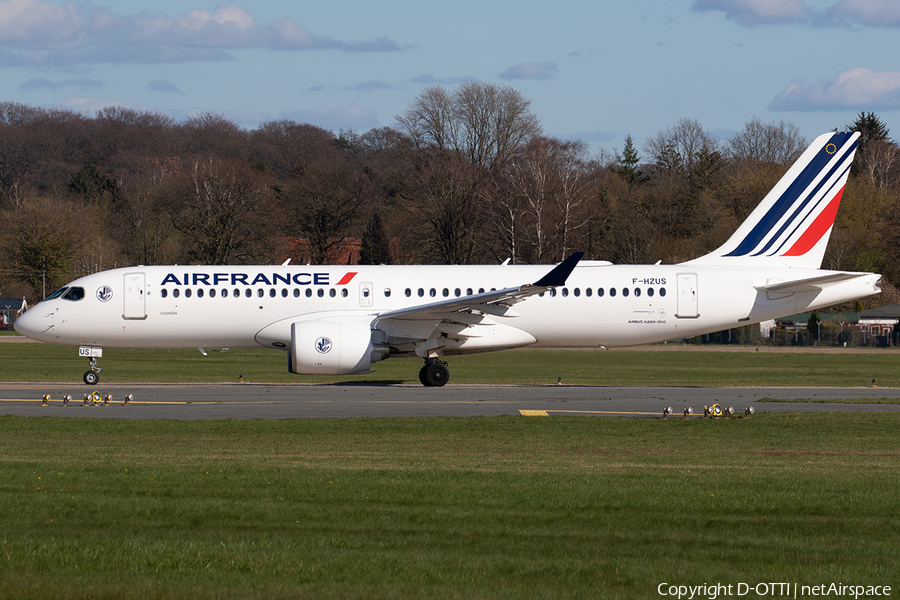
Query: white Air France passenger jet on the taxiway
[339, 320]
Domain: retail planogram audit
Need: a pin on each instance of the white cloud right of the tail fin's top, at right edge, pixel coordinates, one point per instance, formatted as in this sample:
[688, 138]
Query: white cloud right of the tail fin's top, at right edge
[857, 89]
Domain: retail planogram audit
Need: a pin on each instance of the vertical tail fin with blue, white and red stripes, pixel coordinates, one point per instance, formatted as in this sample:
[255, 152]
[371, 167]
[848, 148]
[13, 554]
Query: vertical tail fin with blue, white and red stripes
[792, 224]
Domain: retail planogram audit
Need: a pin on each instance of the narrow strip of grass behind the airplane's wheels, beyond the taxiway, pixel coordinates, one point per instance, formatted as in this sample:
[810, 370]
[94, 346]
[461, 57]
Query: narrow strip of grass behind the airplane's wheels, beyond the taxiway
[852, 368]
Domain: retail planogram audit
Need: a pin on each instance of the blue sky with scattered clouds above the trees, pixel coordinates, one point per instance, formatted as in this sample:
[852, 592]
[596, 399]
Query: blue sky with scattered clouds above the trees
[596, 71]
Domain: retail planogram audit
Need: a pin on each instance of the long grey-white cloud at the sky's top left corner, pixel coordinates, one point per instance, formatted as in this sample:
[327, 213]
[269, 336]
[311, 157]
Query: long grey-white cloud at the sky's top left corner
[35, 32]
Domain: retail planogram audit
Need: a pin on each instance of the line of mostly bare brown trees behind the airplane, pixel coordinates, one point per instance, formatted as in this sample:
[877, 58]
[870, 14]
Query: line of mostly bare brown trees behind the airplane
[465, 175]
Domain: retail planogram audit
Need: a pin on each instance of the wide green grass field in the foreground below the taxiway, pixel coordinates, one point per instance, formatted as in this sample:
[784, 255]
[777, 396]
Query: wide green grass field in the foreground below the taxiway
[444, 508]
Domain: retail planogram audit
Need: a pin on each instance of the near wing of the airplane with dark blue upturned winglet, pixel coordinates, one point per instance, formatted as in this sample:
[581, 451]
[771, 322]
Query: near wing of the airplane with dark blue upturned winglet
[493, 303]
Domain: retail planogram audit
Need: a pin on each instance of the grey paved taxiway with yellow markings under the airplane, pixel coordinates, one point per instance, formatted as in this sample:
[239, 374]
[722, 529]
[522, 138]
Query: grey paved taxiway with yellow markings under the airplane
[192, 402]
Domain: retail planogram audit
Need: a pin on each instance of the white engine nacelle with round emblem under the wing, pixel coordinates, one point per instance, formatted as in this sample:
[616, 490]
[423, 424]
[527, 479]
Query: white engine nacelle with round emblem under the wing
[320, 347]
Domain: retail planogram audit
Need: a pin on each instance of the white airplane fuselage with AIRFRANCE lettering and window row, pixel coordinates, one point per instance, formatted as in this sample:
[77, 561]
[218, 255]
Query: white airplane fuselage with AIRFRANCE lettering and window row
[243, 306]
